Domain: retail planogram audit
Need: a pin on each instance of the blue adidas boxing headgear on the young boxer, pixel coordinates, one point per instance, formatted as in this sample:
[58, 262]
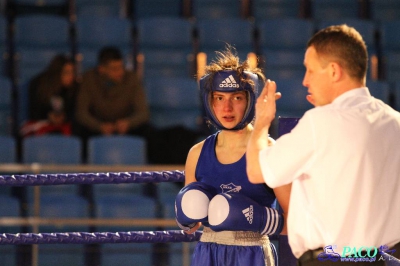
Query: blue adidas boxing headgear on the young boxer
[229, 81]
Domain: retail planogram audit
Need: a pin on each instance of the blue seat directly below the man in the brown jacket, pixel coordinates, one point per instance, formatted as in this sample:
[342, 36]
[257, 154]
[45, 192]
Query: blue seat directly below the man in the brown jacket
[117, 150]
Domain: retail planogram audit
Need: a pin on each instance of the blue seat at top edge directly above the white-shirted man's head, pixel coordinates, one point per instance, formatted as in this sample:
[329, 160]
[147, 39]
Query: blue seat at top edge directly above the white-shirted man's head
[323, 9]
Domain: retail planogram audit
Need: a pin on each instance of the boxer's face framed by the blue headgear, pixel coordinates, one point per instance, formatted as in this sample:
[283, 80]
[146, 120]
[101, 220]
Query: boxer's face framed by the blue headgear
[229, 107]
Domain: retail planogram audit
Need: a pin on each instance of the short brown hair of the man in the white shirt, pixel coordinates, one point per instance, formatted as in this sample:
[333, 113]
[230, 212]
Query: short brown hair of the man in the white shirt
[344, 45]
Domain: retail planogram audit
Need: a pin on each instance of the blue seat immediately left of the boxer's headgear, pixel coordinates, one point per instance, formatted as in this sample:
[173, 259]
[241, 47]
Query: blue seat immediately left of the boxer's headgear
[173, 101]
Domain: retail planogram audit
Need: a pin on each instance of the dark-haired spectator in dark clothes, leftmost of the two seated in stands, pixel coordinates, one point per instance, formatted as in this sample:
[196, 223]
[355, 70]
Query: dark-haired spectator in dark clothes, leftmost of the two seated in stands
[52, 99]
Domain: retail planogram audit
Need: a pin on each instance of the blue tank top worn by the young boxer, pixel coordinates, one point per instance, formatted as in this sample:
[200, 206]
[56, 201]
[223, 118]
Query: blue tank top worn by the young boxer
[229, 177]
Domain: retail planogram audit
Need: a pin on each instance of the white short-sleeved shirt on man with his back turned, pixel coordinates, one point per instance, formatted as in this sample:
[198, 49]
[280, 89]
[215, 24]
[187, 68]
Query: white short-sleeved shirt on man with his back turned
[343, 160]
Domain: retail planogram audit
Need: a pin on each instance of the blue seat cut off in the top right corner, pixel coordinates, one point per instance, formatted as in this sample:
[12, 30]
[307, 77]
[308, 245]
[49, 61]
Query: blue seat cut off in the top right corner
[383, 10]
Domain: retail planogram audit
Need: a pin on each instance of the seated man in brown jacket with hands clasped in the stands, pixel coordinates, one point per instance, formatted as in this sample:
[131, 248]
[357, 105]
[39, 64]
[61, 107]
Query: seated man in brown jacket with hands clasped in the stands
[111, 99]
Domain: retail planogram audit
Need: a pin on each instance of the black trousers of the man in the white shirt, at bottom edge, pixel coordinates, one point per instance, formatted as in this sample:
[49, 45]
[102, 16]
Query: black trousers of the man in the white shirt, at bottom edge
[310, 258]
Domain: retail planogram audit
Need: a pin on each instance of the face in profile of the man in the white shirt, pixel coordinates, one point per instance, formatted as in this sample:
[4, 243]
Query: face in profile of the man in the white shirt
[317, 79]
